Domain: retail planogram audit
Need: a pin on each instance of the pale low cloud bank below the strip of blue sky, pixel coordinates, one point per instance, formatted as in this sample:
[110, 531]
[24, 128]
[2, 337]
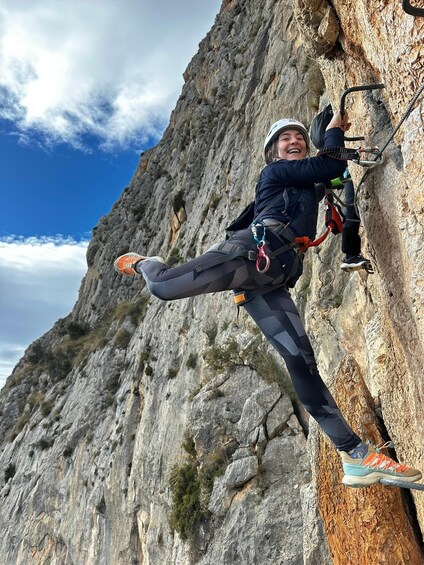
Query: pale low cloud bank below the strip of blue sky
[39, 282]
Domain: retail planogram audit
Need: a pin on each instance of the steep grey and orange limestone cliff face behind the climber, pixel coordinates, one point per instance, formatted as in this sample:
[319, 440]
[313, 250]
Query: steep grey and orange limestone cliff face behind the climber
[140, 431]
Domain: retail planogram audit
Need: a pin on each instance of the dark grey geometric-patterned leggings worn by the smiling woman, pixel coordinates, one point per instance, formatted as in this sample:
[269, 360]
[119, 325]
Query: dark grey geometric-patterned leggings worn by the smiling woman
[276, 315]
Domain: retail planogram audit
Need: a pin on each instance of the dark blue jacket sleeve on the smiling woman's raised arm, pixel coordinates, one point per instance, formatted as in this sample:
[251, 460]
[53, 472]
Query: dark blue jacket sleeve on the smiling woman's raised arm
[313, 169]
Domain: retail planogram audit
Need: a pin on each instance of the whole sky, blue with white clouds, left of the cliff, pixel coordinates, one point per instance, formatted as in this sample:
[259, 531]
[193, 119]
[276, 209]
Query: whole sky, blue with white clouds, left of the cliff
[84, 88]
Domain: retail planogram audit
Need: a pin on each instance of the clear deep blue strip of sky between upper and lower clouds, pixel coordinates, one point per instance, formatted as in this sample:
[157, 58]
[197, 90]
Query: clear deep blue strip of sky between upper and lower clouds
[58, 191]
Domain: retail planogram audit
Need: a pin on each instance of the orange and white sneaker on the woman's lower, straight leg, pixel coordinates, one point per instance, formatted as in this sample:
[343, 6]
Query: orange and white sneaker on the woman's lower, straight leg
[373, 466]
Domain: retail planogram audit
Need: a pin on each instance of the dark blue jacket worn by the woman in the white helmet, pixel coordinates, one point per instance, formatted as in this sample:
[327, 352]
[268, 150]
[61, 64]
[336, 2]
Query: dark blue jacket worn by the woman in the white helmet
[294, 180]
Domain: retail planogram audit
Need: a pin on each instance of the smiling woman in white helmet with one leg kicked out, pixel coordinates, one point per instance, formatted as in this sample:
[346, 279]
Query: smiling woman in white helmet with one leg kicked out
[285, 207]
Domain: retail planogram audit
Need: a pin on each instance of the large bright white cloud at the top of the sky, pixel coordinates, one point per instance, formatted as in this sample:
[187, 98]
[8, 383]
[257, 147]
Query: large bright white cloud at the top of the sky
[112, 68]
